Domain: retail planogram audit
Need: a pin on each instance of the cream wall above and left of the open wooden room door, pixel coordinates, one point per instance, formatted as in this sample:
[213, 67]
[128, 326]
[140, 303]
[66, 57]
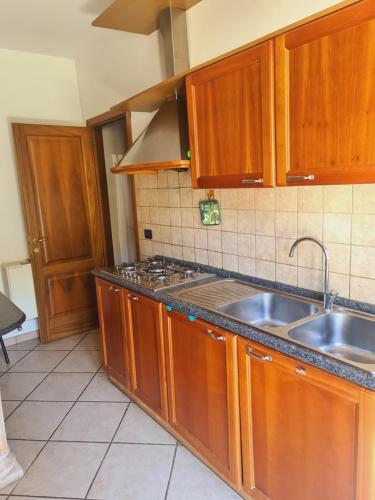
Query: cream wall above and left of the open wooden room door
[37, 89]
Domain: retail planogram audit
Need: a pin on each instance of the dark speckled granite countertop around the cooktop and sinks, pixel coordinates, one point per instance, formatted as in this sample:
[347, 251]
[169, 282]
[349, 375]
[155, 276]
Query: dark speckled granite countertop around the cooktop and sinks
[344, 370]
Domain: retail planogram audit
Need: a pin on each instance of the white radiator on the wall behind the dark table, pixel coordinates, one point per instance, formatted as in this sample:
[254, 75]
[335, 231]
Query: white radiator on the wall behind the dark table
[19, 286]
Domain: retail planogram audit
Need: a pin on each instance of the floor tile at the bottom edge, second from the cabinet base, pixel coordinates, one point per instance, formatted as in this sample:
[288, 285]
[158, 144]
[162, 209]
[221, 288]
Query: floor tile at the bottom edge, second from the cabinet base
[144, 477]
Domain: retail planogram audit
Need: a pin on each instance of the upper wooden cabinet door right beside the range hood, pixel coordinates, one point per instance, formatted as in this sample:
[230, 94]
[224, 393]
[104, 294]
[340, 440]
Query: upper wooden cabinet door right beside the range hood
[230, 107]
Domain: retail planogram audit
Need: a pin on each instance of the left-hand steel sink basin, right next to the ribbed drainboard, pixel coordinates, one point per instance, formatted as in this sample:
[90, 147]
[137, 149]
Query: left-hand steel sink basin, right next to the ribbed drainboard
[269, 310]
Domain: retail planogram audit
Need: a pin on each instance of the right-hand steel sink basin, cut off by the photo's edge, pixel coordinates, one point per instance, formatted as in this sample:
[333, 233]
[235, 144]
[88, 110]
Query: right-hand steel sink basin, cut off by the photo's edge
[339, 334]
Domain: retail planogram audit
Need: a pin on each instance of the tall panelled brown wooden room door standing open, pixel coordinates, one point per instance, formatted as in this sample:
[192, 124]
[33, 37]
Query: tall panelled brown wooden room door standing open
[59, 189]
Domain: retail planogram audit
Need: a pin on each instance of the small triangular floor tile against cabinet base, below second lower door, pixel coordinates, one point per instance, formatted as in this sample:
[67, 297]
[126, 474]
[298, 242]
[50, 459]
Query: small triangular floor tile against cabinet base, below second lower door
[138, 427]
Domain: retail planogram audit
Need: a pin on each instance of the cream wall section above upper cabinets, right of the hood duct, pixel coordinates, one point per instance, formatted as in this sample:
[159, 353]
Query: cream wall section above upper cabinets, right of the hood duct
[218, 26]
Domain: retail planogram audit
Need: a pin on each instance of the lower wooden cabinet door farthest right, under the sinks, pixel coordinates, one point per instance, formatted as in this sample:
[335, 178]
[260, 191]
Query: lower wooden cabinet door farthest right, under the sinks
[304, 432]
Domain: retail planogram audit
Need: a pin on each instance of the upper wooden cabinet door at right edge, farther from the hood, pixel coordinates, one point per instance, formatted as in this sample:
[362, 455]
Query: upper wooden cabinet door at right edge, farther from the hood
[325, 99]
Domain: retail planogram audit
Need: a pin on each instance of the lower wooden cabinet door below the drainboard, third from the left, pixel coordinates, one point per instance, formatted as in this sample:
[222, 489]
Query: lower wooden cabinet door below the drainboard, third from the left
[203, 391]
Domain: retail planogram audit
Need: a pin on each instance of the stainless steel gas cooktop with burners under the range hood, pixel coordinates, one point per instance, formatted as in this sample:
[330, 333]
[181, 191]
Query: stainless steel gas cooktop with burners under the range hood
[157, 274]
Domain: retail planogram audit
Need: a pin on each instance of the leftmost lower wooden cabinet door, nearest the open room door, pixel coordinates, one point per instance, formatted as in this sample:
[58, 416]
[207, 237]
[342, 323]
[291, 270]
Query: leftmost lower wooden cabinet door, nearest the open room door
[113, 331]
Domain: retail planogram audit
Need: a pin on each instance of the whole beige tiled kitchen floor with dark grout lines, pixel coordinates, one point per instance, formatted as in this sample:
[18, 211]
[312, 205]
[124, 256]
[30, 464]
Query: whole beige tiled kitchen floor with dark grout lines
[77, 436]
